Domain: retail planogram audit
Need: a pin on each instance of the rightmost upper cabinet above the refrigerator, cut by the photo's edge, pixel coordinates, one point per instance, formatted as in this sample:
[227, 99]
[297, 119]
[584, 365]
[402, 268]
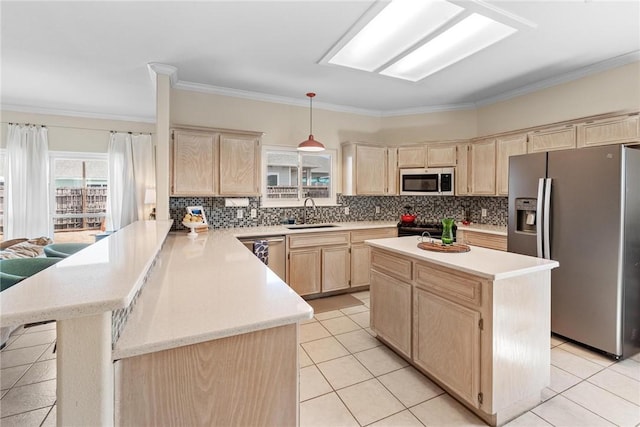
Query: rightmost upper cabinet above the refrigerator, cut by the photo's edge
[614, 130]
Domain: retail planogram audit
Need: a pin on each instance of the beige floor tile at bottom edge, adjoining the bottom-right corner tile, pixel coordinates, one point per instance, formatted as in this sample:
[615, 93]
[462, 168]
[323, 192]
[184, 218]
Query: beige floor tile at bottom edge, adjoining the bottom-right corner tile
[560, 411]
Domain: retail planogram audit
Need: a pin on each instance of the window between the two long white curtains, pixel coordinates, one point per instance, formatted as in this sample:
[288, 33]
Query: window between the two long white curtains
[79, 191]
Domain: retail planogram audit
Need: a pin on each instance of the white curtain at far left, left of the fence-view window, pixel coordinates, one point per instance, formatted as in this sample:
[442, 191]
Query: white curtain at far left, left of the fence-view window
[26, 186]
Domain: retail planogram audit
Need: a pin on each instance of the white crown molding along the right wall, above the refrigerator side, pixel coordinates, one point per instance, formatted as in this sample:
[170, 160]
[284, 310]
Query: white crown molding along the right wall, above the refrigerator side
[598, 67]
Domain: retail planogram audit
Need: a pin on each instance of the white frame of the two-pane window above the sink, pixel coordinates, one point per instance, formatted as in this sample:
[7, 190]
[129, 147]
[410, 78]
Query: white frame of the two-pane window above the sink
[299, 202]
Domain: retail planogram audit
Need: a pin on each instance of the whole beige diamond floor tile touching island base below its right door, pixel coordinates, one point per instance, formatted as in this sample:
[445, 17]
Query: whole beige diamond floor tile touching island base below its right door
[410, 386]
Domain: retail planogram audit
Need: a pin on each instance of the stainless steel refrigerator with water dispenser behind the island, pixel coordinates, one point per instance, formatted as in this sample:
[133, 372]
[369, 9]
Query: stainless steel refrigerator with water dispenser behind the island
[582, 208]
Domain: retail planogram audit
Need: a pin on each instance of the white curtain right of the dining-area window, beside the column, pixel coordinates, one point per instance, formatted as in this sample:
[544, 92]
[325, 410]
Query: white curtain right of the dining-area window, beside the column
[131, 171]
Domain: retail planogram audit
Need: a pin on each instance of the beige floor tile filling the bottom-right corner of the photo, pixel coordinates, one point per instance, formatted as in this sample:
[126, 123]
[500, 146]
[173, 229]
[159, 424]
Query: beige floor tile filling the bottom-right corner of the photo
[609, 406]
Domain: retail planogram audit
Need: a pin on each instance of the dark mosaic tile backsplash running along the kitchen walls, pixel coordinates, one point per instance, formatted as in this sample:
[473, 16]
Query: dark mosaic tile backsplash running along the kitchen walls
[361, 208]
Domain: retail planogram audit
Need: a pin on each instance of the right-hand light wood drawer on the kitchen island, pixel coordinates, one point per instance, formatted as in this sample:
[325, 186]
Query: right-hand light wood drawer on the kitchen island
[456, 287]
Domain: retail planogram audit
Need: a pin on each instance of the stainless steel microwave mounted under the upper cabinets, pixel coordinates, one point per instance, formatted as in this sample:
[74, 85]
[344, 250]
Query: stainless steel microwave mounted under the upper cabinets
[427, 182]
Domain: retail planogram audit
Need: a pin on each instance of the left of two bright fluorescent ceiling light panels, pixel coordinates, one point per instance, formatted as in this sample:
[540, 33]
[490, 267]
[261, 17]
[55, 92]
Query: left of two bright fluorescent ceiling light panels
[396, 28]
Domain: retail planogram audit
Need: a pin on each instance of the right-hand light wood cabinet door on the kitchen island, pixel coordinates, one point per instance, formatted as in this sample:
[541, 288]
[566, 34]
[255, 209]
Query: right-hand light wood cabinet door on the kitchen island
[446, 343]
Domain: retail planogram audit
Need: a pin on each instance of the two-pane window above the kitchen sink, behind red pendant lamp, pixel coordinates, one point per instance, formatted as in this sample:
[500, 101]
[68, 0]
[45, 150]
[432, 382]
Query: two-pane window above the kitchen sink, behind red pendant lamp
[291, 176]
